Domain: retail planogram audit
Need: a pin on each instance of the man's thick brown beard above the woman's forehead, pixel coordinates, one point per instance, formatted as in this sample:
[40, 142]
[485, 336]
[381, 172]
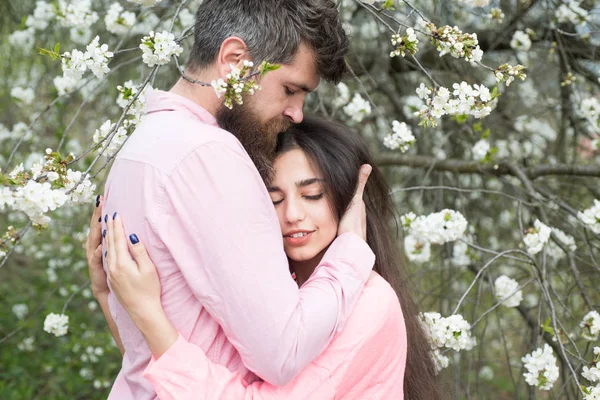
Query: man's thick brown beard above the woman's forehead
[258, 138]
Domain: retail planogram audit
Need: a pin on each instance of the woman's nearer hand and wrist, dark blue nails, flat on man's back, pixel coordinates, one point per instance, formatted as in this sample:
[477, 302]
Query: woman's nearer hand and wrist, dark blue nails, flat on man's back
[134, 280]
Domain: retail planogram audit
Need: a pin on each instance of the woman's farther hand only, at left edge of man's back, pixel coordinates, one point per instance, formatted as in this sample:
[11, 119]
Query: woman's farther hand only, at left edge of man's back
[93, 252]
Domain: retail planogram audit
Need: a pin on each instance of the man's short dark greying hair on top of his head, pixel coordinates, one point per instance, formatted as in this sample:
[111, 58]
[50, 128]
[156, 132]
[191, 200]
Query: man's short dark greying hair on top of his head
[272, 30]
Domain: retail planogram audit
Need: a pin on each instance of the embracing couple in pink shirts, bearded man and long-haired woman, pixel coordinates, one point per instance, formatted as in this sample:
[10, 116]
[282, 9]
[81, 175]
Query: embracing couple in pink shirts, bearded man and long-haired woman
[247, 253]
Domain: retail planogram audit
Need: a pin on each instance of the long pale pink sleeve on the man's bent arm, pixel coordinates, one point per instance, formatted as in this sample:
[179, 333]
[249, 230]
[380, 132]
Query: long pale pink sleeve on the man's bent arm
[218, 222]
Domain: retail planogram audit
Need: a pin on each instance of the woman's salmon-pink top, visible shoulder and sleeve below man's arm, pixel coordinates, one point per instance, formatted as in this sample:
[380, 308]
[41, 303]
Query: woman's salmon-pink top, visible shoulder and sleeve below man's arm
[365, 361]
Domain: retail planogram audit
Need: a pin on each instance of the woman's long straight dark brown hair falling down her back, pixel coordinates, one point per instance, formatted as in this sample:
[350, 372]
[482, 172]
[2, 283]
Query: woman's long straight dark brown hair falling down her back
[338, 153]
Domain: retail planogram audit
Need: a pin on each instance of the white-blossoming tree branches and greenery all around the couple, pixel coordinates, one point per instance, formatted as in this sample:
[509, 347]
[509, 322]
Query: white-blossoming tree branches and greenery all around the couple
[484, 115]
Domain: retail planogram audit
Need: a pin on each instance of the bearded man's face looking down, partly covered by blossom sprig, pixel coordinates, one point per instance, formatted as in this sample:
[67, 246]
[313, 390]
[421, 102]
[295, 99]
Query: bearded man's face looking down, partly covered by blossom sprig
[272, 109]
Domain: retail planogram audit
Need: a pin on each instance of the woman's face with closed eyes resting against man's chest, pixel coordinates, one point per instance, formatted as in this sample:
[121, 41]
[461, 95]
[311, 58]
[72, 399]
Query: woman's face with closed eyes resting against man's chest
[307, 222]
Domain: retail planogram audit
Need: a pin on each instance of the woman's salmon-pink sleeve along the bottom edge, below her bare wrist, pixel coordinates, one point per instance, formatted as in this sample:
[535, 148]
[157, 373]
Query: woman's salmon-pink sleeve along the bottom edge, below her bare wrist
[184, 372]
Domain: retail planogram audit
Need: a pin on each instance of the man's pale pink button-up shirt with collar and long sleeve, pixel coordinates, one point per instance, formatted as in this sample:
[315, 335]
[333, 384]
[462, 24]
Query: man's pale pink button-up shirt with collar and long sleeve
[190, 191]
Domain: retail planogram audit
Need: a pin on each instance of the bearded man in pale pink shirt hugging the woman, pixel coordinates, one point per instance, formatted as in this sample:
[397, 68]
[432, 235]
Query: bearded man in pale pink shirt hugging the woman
[185, 181]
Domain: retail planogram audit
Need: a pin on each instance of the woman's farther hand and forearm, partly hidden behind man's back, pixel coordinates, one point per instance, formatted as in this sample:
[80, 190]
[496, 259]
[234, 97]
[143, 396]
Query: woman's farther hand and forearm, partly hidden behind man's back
[93, 252]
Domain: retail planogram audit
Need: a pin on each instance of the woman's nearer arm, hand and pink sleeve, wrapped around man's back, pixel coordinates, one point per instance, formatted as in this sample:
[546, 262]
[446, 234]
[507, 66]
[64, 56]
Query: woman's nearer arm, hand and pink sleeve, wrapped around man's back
[179, 369]
